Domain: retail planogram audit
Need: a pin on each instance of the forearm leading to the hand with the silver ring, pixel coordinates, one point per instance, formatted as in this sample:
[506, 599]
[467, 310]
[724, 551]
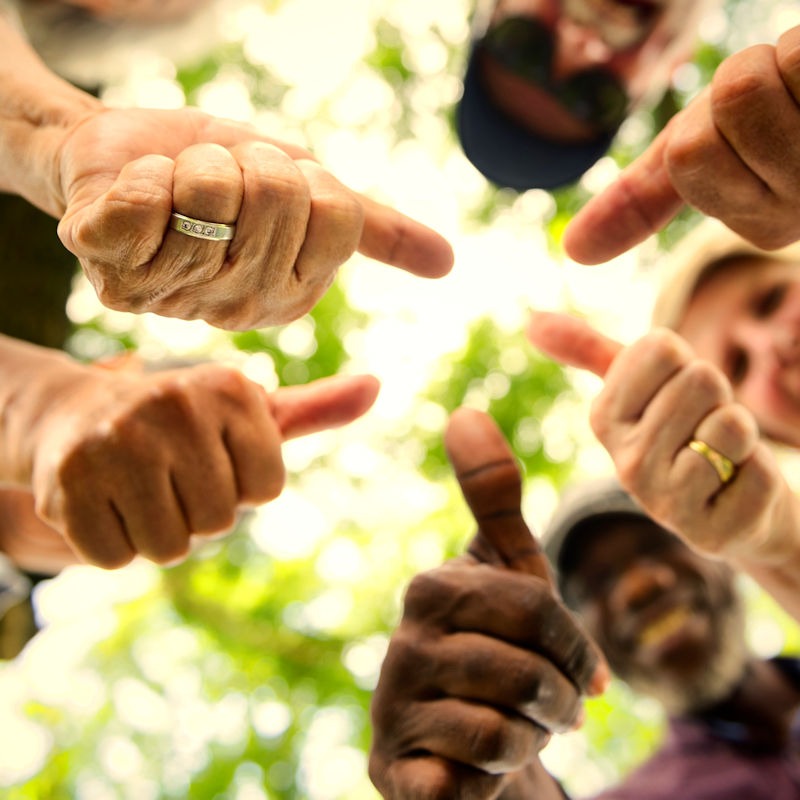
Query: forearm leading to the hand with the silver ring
[37, 110]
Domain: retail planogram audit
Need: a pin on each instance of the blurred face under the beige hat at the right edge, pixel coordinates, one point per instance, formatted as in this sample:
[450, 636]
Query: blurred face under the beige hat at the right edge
[745, 318]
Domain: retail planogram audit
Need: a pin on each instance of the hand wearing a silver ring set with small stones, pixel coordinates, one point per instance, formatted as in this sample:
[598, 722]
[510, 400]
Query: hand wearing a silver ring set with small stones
[123, 172]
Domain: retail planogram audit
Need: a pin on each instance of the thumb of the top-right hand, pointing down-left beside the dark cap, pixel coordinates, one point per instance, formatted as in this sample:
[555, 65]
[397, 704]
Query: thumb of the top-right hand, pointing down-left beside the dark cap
[640, 202]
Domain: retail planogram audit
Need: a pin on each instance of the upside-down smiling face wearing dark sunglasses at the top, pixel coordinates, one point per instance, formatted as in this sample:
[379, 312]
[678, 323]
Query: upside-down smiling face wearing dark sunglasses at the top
[582, 64]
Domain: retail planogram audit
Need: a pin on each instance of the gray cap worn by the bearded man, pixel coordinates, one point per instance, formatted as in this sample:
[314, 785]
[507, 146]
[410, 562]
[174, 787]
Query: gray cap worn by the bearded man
[583, 501]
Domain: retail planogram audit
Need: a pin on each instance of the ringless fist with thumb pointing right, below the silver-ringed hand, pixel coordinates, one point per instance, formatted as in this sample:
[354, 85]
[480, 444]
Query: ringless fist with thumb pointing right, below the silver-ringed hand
[131, 463]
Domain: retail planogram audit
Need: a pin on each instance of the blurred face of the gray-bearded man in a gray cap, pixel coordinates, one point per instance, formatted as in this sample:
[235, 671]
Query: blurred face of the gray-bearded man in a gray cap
[668, 620]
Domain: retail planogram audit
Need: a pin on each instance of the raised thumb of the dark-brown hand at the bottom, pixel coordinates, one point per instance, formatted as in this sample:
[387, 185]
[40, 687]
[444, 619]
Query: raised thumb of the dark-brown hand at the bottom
[490, 480]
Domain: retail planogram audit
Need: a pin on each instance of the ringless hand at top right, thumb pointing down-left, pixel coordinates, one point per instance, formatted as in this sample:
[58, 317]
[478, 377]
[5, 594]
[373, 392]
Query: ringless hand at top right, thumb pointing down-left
[732, 153]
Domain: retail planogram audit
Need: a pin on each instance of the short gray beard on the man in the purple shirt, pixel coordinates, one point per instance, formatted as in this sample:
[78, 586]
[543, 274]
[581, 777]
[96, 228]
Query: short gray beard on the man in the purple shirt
[711, 684]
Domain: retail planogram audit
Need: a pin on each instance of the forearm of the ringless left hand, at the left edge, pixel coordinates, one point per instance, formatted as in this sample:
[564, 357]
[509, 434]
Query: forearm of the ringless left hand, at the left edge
[32, 379]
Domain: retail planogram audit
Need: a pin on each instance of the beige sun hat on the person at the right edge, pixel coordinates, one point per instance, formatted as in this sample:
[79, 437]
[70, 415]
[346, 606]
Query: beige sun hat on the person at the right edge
[708, 245]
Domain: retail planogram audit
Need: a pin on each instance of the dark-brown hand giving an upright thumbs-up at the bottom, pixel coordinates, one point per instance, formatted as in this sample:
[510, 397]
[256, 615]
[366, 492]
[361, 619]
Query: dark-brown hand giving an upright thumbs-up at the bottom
[486, 660]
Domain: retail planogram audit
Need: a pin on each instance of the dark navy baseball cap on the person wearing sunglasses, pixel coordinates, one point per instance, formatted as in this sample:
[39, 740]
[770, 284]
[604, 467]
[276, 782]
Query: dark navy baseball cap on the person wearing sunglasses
[509, 154]
